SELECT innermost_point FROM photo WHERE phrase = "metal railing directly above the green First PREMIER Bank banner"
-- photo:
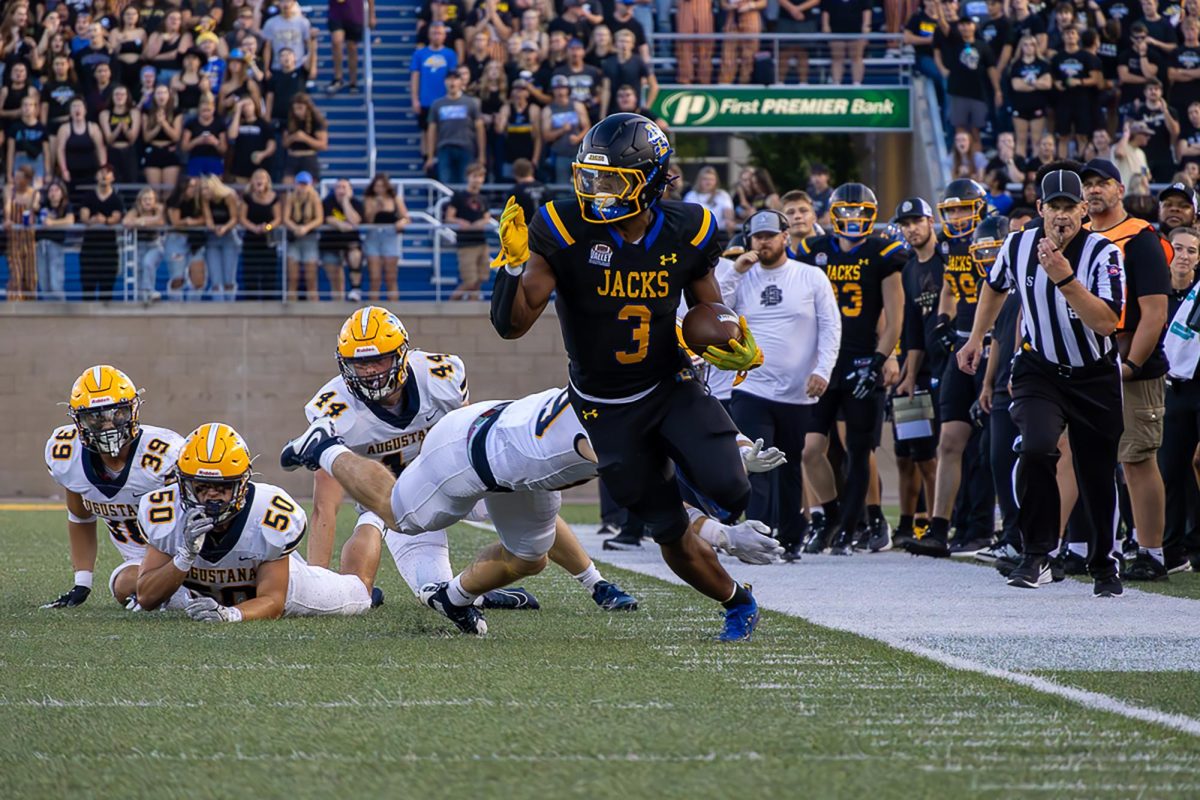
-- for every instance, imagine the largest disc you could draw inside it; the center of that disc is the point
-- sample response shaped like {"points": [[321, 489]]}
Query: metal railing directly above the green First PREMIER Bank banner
{"points": [[886, 62]]}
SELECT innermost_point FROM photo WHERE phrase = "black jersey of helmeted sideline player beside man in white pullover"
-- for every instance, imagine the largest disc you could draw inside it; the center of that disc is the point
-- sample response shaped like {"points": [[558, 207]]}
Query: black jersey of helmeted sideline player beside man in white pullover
{"points": [[857, 276]]}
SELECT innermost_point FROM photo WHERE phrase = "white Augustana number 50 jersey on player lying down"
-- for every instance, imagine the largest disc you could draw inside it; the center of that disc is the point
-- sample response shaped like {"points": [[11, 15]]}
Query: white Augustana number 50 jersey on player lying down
{"points": [[269, 527]]}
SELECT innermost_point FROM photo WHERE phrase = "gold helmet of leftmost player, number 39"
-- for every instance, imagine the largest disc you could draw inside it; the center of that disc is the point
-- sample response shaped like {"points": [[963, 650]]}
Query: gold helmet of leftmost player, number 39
{"points": [[105, 407]]}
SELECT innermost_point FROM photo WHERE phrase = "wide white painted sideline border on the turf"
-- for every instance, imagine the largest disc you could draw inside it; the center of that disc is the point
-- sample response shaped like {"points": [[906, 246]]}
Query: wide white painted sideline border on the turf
{"points": [[967, 618]]}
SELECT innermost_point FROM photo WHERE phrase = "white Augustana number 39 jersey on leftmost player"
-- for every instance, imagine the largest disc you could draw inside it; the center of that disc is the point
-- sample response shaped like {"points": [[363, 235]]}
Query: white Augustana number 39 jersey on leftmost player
{"points": [[115, 500]]}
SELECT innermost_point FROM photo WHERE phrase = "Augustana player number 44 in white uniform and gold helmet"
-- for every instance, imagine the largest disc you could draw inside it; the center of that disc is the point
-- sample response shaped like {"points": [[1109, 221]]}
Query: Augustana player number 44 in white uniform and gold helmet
{"points": [[385, 402]]}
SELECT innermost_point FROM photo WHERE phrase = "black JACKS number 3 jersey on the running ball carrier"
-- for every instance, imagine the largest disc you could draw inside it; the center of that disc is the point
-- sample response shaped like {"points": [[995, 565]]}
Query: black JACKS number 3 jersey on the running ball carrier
{"points": [[617, 300]]}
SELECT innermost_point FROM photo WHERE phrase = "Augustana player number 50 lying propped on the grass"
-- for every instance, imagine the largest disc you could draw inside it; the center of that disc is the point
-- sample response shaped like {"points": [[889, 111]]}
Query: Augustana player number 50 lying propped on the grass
{"points": [[232, 542]]}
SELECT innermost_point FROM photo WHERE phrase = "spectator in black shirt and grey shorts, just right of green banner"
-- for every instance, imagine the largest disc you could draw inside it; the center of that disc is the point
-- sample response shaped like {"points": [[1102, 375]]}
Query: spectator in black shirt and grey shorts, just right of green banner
{"points": [[971, 77]]}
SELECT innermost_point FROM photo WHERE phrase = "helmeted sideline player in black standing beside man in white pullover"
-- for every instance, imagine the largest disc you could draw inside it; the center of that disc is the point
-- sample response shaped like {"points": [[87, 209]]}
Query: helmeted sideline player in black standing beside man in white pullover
{"points": [[865, 272]]}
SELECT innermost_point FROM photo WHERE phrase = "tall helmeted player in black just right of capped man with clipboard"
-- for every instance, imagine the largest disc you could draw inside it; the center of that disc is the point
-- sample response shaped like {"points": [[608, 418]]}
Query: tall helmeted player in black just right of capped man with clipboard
{"points": [[963, 207]]}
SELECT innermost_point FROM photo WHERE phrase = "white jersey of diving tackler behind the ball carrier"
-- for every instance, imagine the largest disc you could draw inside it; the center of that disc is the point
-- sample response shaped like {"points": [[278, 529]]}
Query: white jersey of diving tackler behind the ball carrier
{"points": [[535, 444]]}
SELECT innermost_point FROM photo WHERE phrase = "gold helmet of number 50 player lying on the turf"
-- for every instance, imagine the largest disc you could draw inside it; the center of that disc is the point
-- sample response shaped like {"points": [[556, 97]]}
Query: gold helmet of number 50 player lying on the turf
{"points": [[214, 472]]}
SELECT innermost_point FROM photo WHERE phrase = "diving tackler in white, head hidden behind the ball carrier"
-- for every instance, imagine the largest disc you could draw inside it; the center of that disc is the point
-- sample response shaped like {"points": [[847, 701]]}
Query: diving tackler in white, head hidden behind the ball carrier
{"points": [[514, 456]]}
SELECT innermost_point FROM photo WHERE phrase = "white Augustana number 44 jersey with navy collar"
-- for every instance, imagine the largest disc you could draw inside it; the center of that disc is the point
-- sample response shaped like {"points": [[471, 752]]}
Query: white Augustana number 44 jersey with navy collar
{"points": [[436, 386]]}
